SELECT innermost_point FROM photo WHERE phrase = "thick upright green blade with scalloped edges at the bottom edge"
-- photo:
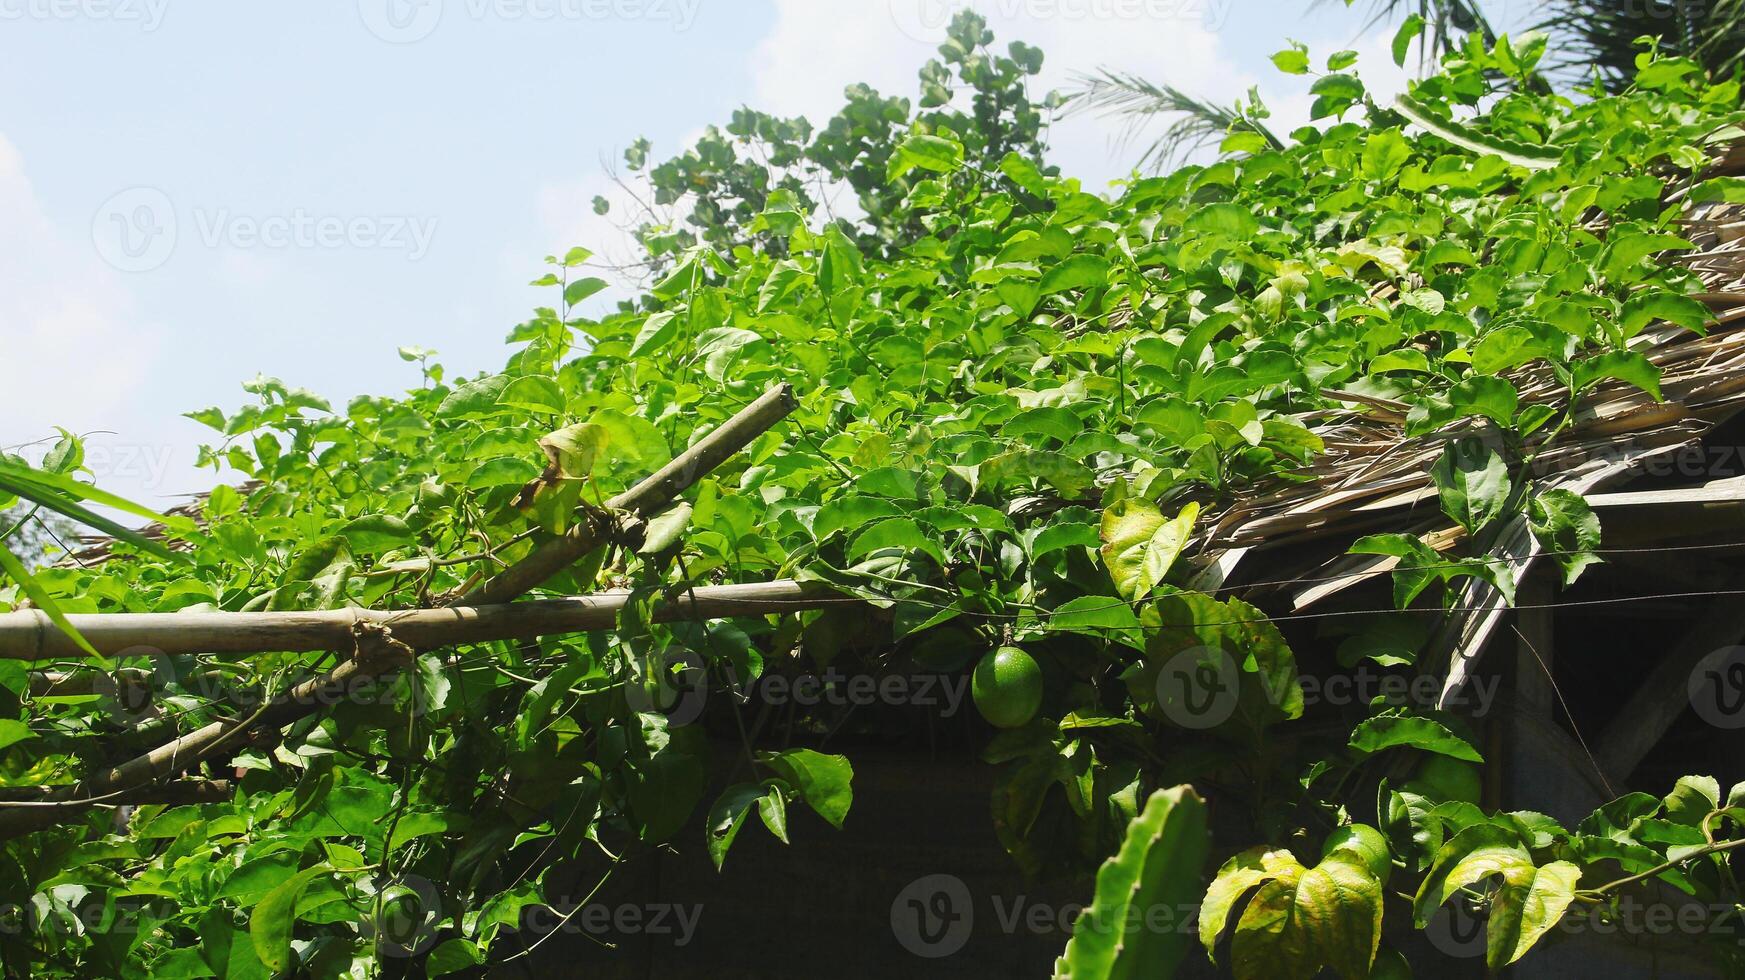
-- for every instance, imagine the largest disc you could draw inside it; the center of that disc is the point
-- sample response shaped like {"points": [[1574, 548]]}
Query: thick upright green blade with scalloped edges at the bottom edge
{"points": [[1158, 868]]}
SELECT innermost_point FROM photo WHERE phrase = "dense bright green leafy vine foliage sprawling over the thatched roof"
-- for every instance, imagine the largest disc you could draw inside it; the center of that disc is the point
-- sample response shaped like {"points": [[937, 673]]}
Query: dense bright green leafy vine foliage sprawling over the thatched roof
{"points": [[1022, 404]]}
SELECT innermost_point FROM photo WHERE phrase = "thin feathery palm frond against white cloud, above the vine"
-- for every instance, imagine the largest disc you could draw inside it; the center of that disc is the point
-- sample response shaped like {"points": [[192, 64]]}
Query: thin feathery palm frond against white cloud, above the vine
{"points": [[1194, 123]]}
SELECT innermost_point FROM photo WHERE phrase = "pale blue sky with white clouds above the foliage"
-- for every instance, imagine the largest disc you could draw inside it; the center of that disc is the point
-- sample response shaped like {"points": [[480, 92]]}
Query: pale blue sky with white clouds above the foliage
{"points": [[195, 193]]}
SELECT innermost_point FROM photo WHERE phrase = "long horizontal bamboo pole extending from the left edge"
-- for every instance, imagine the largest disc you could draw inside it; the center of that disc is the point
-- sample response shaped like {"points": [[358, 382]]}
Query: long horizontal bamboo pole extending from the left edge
{"points": [[31, 637]]}
